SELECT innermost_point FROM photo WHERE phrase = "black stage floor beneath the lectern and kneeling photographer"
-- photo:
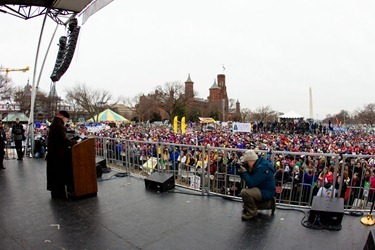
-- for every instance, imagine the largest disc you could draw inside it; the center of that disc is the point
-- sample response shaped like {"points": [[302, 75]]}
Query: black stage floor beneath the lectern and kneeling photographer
{"points": [[124, 215]]}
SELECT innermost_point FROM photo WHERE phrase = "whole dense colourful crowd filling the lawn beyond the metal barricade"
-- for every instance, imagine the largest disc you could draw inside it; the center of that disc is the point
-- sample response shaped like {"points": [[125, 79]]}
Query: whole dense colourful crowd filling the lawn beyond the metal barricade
{"points": [[304, 172]]}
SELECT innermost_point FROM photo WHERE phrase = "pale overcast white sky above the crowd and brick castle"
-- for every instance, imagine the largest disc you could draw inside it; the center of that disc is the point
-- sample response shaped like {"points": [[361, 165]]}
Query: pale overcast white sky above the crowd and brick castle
{"points": [[272, 50]]}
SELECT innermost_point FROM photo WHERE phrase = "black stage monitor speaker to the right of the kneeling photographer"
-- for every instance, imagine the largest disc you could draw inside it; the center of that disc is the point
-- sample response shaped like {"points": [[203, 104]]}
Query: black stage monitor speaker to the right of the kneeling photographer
{"points": [[326, 211]]}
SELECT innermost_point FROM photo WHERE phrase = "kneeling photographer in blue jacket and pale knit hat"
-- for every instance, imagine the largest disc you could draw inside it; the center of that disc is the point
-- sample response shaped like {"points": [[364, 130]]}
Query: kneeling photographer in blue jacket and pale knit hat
{"points": [[258, 174]]}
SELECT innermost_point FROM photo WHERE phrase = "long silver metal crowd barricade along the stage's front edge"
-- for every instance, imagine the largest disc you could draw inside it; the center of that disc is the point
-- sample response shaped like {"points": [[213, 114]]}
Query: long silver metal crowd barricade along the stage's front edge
{"points": [[214, 171]]}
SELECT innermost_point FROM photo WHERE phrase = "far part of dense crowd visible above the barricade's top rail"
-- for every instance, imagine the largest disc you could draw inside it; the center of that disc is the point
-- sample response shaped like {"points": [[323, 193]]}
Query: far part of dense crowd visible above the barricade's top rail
{"points": [[320, 139]]}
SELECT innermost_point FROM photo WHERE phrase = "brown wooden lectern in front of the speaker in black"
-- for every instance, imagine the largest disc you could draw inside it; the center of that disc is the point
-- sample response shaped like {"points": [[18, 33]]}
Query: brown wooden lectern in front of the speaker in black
{"points": [[84, 169]]}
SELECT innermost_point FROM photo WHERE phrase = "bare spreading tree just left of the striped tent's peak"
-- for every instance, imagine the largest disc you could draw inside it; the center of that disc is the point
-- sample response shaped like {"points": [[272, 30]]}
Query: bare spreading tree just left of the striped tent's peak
{"points": [[89, 100]]}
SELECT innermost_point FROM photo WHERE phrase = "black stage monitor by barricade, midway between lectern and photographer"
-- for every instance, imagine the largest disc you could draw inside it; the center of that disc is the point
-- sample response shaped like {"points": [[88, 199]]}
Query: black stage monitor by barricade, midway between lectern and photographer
{"points": [[160, 182]]}
